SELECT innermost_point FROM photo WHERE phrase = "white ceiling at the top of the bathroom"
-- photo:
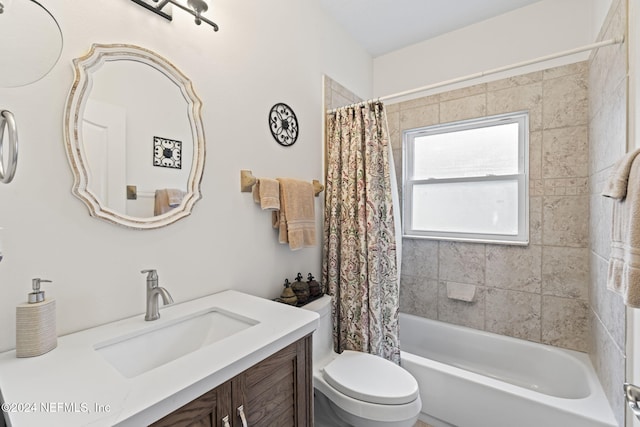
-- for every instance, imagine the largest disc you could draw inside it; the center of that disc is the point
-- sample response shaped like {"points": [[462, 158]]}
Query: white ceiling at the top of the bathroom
{"points": [[382, 26]]}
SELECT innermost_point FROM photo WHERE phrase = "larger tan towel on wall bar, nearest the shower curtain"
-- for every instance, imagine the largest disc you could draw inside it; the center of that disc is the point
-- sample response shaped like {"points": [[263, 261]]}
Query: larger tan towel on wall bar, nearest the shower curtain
{"points": [[296, 218]]}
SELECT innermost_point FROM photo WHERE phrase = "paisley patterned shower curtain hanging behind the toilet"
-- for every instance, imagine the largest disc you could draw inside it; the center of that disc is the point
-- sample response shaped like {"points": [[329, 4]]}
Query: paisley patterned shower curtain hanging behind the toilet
{"points": [[360, 263]]}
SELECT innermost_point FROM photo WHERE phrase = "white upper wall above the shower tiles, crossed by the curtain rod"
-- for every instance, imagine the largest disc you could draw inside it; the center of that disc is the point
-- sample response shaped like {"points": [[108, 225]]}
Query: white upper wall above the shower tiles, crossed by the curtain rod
{"points": [[542, 28]]}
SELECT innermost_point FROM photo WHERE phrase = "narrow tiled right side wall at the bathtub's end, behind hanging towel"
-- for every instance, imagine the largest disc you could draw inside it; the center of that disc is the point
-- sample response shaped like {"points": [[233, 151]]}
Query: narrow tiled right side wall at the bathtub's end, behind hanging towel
{"points": [[607, 143]]}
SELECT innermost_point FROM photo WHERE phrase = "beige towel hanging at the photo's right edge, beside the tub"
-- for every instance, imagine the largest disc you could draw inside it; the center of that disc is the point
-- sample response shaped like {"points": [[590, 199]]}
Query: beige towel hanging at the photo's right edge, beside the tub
{"points": [[623, 275]]}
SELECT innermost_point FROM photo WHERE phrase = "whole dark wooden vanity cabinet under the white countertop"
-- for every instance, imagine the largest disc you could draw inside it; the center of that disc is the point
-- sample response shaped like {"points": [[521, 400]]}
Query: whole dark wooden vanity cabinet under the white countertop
{"points": [[277, 391]]}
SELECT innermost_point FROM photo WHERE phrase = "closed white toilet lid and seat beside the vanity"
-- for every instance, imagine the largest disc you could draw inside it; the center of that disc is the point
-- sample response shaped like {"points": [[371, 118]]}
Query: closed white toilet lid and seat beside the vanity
{"points": [[371, 379]]}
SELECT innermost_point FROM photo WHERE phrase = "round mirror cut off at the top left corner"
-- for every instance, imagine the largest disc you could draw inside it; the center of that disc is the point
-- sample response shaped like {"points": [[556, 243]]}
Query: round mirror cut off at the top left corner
{"points": [[31, 42]]}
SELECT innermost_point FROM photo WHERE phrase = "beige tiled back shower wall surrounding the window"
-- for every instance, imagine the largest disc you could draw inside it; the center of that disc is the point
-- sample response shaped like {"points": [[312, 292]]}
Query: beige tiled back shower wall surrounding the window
{"points": [[538, 292]]}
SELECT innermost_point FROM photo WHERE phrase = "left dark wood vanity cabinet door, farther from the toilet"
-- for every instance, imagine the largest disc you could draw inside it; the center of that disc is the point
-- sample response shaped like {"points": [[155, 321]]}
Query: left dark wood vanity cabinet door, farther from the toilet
{"points": [[207, 410]]}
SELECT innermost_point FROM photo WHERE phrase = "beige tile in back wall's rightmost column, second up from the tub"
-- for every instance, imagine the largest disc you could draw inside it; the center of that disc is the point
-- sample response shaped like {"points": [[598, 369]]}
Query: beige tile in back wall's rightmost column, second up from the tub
{"points": [[565, 272]]}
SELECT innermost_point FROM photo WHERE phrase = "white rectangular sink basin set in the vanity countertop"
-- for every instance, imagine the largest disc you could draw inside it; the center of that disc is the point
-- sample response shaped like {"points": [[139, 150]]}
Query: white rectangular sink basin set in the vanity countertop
{"points": [[139, 352]]}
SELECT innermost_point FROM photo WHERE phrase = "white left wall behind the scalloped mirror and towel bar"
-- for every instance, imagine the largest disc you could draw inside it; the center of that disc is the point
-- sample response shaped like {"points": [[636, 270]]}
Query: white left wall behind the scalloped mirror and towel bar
{"points": [[264, 53]]}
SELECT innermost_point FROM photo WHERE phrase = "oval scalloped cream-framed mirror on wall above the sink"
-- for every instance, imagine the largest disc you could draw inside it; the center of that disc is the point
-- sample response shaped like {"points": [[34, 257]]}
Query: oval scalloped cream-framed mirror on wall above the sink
{"points": [[134, 137]]}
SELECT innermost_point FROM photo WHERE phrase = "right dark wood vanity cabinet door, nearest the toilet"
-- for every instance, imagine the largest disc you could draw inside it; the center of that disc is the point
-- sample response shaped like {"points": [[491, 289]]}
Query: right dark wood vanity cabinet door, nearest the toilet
{"points": [[277, 391]]}
